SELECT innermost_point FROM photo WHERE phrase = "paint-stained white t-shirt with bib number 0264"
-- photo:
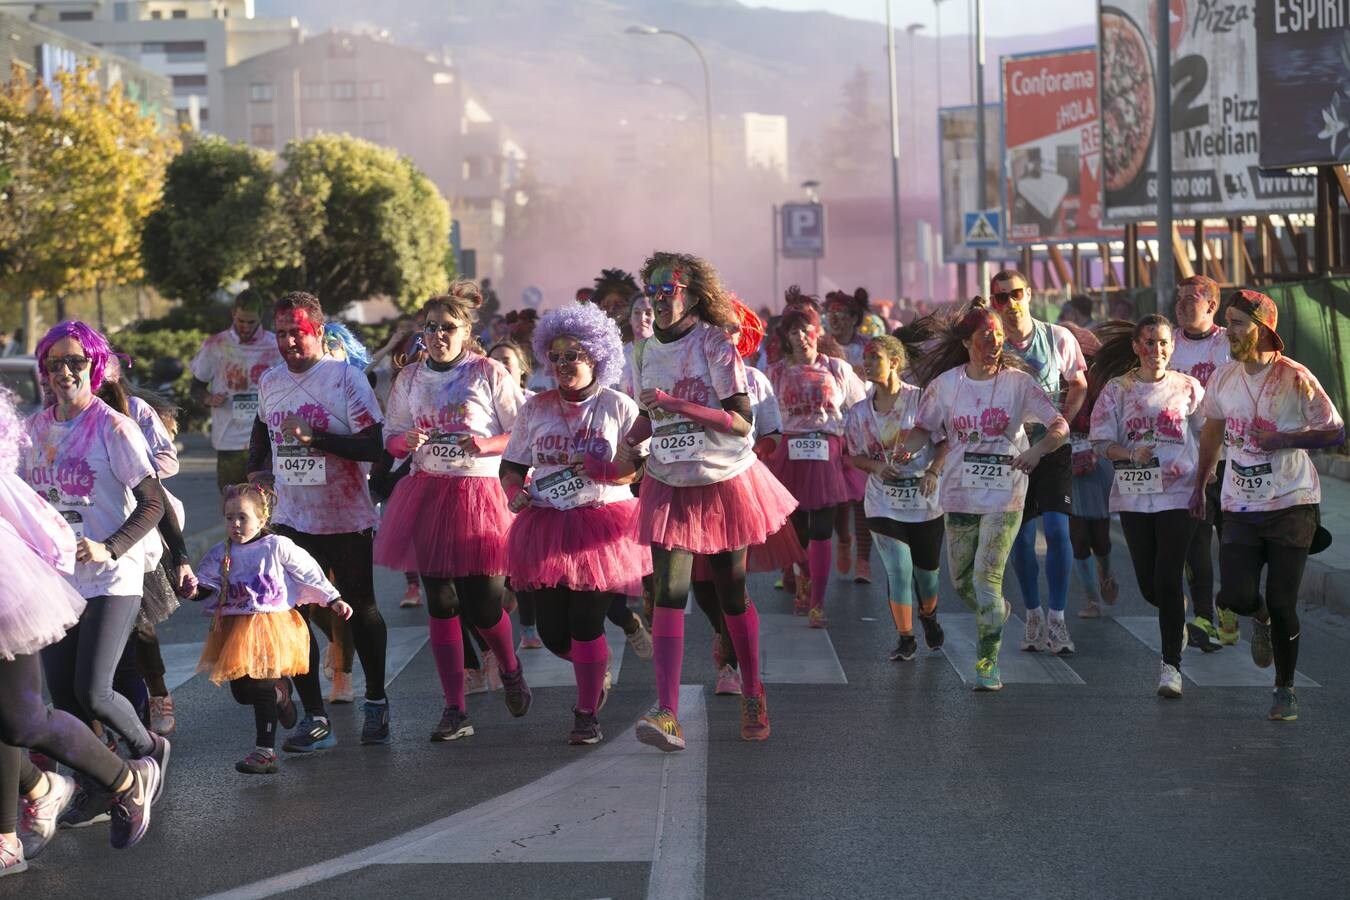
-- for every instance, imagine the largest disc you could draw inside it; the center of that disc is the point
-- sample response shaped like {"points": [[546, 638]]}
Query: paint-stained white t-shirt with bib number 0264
{"points": [[477, 397]]}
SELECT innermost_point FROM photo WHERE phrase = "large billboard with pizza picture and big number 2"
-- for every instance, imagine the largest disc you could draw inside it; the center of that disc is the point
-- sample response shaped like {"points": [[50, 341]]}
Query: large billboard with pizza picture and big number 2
{"points": [[1216, 114]]}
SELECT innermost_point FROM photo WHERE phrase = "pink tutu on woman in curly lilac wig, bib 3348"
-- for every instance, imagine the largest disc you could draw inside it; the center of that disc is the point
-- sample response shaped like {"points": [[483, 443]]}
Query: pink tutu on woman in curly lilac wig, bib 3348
{"points": [[588, 549]]}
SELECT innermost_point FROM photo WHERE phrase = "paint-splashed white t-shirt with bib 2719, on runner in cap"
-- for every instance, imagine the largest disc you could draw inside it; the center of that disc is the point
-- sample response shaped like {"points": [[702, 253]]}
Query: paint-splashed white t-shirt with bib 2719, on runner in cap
{"points": [[1283, 397]]}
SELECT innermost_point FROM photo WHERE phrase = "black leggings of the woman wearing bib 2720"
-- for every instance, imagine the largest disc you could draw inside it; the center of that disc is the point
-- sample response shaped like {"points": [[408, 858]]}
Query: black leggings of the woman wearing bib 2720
{"points": [[1158, 546]]}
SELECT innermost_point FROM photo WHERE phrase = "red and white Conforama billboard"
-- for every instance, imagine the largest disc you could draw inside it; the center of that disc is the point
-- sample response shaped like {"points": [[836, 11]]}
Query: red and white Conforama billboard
{"points": [[1052, 141]]}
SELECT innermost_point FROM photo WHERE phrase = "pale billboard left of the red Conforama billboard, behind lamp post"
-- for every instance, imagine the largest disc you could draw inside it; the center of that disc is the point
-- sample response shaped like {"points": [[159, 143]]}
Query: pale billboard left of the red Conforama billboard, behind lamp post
{"points": [[956, 130]]}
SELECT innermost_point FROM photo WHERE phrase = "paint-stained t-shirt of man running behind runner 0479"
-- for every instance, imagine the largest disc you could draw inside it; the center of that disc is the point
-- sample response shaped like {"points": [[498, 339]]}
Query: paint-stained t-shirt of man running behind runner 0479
{"points": [[233, 368]]}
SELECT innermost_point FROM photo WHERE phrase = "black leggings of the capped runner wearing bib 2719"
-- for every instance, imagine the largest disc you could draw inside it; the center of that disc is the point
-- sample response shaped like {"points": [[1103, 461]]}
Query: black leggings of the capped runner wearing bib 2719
{"points": [[1240, 570]]}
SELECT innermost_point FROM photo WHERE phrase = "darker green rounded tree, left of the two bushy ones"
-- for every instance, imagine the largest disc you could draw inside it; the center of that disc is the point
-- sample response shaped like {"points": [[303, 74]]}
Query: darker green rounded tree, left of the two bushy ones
{"points": [[222, 221]]}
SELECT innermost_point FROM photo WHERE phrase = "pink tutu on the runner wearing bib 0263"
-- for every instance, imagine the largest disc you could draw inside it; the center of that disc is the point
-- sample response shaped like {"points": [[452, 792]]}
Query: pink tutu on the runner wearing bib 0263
{"points": [[709, 519]]}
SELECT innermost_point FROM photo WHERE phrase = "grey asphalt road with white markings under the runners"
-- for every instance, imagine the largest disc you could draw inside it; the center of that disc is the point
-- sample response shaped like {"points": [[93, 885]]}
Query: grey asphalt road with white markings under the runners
{"points": [[881, 779]]}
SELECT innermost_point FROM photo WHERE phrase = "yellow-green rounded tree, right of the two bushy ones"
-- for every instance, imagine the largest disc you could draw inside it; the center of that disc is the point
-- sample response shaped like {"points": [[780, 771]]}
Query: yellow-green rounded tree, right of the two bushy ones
{"points": [[369, 223]]}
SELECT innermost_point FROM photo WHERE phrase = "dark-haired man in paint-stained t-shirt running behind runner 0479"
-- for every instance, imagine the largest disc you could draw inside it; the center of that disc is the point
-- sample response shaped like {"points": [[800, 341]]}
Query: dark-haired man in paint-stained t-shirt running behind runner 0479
{"points": [[225, 378]]}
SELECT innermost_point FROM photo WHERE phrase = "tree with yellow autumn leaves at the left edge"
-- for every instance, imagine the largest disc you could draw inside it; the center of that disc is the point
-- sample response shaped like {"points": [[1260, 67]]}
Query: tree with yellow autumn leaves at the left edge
{"points": [[80, 176]]}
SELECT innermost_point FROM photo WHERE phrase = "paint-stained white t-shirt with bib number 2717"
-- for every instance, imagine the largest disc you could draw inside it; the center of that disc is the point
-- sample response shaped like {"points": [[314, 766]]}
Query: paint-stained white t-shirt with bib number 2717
{"points": [[881, 437]]}
